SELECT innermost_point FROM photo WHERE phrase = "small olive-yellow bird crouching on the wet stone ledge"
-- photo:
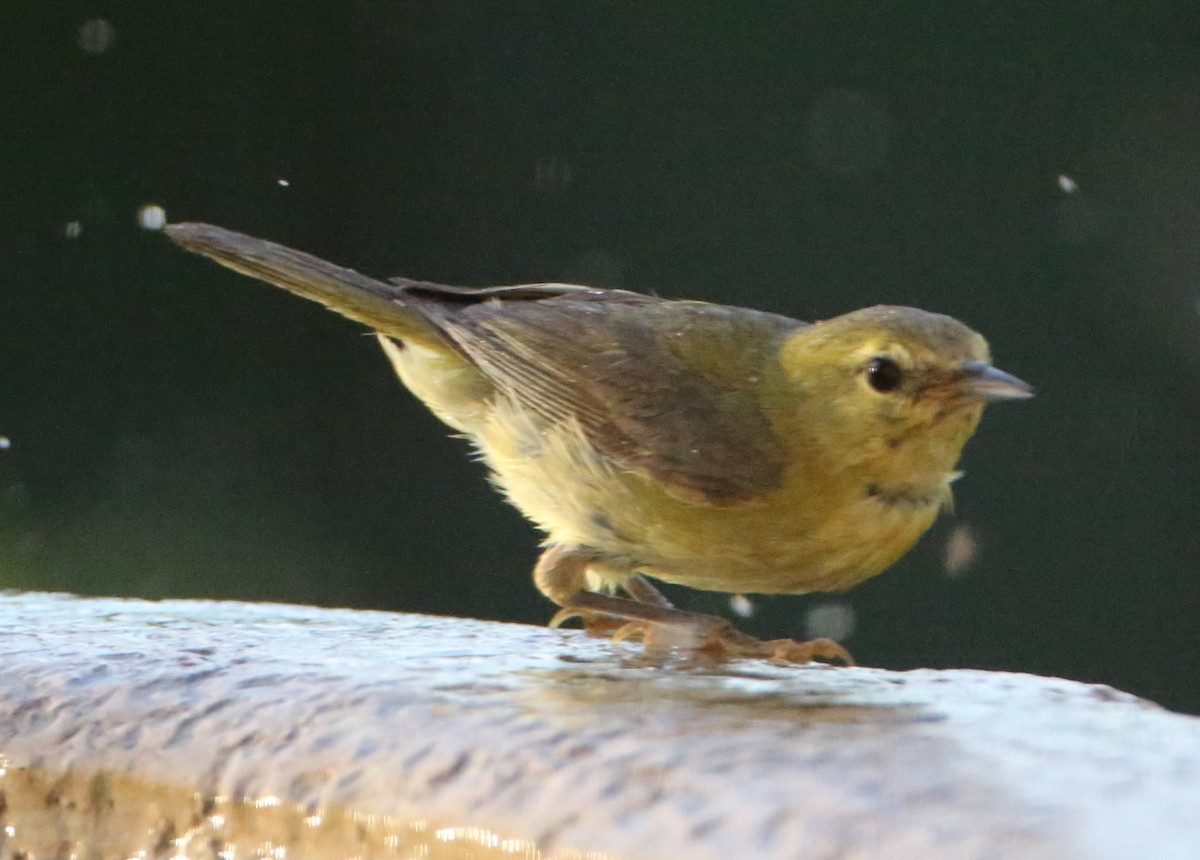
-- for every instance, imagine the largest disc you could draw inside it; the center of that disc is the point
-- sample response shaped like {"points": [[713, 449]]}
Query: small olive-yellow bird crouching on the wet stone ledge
{"points": [[717, 448]]}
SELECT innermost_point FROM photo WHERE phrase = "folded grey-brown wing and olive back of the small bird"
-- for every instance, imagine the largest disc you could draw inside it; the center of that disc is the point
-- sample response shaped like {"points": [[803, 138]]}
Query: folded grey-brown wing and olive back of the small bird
{"points": [[638, 381]]}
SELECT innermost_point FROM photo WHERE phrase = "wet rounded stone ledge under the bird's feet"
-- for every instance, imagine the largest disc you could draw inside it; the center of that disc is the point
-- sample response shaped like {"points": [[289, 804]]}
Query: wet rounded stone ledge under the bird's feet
{"points": [[187, 729]]}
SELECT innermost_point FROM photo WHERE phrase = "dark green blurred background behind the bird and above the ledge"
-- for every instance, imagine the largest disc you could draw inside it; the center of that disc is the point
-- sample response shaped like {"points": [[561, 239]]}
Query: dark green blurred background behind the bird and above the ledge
{"points": [[169, 429]]}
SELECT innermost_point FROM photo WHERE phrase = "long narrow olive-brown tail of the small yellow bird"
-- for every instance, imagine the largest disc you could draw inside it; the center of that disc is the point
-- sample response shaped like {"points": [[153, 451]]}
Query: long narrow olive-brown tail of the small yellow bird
{"points": [[359, 298]]}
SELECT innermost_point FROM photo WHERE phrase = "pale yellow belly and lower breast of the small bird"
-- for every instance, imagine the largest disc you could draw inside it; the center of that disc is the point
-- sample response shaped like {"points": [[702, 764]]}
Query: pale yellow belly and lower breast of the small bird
{"points": [[811, 536]]}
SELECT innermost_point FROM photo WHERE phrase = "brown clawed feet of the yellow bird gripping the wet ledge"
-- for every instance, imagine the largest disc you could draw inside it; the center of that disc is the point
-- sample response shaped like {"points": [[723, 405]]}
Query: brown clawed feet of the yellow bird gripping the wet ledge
{"points": [[664, 632]]}
